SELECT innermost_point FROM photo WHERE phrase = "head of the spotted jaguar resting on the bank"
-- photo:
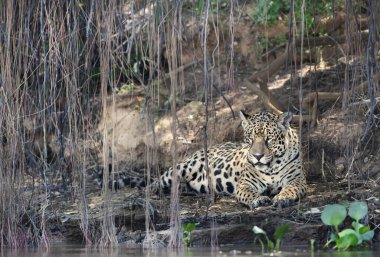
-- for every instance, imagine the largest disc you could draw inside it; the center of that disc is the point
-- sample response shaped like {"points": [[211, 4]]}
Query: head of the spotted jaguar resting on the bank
{"points": [[266, 135]]}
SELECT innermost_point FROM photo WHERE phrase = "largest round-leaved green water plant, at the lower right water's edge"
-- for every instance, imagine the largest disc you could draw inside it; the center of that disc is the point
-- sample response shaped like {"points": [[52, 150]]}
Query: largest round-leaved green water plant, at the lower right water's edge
{"points": [[335, 214]]}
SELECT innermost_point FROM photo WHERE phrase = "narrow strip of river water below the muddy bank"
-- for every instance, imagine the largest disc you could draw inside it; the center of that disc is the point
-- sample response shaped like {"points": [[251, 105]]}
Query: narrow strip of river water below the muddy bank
{"points": [[64, 250]]}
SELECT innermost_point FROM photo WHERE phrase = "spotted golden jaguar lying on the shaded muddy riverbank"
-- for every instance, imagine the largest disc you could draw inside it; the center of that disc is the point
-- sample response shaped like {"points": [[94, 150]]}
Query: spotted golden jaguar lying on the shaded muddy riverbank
{"points": [[266, 168]]}
